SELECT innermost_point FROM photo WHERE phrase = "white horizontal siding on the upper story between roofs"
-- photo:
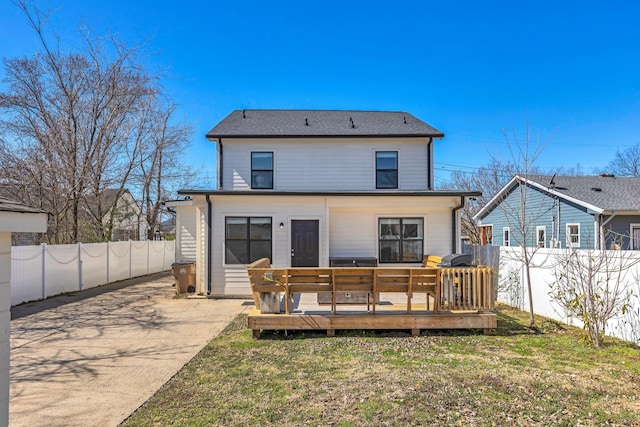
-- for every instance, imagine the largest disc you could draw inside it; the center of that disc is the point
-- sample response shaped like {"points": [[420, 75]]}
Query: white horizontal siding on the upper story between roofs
{"points": [[327, 164]]}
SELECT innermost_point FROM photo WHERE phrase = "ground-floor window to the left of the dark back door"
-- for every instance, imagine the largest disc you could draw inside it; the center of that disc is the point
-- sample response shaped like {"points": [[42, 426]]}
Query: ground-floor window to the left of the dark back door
{"points": [[247, 239]]}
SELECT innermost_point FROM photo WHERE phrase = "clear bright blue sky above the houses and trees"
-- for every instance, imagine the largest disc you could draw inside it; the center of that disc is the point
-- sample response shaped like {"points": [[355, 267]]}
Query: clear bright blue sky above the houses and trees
{"points": [[471, 69]]}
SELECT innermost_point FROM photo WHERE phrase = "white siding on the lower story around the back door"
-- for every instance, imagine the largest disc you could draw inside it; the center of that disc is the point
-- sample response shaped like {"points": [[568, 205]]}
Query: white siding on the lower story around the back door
{"points": [[352, 229]]}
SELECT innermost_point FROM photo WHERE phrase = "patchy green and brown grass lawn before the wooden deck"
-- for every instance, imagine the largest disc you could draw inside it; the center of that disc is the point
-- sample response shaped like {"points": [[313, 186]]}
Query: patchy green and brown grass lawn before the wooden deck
{"points": [[450, 378]]}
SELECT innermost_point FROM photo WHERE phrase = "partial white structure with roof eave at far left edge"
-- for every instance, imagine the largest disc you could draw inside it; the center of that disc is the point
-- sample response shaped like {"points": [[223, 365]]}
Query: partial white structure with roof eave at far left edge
{"points": [[14, 217]]}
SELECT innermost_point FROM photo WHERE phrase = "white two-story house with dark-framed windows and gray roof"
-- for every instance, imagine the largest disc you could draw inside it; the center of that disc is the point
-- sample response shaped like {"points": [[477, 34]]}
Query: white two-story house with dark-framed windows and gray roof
{"points": [[304, 186]]}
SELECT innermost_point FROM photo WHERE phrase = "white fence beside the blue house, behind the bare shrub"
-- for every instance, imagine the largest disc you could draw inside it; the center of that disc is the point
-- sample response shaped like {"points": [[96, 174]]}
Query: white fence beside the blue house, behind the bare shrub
{"points": [[512, 288]]}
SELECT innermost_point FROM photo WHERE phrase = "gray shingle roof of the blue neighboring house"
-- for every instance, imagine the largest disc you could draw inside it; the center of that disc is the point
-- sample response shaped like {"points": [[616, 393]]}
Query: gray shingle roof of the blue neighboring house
{"points": [[608, 193]]}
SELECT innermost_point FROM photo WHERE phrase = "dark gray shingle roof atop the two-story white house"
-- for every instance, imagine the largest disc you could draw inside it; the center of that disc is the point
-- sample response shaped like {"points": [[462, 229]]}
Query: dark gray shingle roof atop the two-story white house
{"points": [[318, 123]]}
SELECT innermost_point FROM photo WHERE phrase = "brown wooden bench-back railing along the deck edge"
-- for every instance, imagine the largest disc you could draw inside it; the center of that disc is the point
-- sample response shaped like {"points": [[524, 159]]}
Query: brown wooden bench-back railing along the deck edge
{"points": [[447, 288]]}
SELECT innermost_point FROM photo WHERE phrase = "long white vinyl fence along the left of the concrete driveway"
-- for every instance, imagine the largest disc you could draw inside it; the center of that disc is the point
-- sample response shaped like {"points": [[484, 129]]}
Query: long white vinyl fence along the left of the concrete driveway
{"points": [[38, 272]]}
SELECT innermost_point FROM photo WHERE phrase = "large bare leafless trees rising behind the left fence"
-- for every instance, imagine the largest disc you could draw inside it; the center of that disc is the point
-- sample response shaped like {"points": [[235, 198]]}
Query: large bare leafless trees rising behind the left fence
{"points": [[76, 124]]}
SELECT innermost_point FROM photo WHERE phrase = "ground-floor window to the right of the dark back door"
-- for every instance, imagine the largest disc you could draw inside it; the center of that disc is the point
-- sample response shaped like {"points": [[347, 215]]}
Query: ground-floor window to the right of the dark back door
{"points": [[401, 239]]}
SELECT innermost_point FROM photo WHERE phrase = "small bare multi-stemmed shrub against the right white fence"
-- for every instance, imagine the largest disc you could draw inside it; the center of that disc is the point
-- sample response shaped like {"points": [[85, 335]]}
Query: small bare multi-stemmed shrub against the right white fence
{"points": [[591, 285]]}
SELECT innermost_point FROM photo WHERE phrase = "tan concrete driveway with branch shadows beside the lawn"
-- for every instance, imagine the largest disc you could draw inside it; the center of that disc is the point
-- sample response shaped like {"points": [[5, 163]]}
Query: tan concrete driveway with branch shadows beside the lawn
{"points": [[94, 357]]}
